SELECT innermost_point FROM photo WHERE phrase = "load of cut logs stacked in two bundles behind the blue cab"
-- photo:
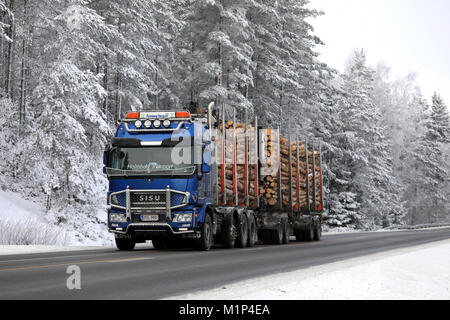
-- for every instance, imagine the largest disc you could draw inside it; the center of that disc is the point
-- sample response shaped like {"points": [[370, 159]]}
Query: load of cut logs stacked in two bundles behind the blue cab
{"points": [[276, 169]]}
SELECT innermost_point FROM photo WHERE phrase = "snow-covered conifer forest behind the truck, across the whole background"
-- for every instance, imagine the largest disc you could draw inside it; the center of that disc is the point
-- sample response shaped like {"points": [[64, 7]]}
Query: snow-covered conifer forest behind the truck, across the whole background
{"points": [[69, 69]]}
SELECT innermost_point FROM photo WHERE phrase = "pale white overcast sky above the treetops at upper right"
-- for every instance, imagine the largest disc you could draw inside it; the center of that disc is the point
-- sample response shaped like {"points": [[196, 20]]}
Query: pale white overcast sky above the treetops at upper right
{"points": [[408, 35]]}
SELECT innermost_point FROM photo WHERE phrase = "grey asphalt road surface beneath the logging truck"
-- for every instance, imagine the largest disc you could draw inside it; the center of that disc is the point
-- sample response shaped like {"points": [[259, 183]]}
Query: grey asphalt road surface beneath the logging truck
{"points": [[147, 273]]}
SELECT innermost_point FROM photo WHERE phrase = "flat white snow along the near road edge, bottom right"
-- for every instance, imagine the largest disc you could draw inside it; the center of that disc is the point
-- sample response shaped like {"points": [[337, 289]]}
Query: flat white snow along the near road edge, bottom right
{"points": [[417, 273]]}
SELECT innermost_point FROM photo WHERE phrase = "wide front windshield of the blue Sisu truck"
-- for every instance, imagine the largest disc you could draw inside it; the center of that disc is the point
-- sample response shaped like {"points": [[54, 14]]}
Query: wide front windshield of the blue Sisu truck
{"points": [[151, 160]]}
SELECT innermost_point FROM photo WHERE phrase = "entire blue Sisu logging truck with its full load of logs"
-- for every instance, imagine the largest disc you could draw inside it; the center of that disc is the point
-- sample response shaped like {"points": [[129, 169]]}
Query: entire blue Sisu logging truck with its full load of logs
{"points": [[200, 179]]}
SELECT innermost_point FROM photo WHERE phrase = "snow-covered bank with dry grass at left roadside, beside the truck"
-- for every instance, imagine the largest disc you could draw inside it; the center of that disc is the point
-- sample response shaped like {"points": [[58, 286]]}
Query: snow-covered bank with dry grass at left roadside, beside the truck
{"points": [[22, 222]]}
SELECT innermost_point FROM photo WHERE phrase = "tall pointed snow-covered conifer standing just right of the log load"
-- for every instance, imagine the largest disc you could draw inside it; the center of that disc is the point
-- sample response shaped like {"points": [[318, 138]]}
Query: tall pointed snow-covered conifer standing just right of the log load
{"points": [[368, 168]]}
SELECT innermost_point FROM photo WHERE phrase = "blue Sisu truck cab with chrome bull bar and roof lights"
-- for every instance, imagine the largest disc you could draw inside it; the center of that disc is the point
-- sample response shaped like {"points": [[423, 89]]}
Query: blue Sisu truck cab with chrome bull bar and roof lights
{"points": [[159, 173]]}
